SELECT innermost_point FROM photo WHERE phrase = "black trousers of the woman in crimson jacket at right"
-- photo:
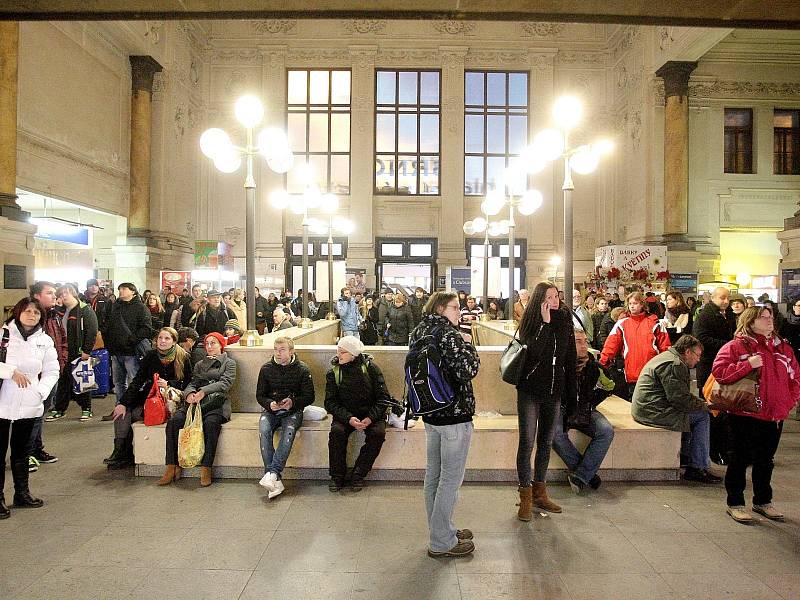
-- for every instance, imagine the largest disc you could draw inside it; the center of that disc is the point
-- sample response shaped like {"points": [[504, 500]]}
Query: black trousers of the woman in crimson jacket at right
{"points": [[751, 440]]}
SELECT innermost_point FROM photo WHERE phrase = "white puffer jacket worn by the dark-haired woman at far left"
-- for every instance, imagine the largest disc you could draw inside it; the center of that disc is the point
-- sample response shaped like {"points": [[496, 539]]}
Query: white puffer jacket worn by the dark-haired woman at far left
{"points": [[36, 357]]}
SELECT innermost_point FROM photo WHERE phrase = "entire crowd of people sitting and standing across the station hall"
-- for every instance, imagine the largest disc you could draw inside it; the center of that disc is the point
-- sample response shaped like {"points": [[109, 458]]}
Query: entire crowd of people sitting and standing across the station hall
{"points": [[640, 347]]}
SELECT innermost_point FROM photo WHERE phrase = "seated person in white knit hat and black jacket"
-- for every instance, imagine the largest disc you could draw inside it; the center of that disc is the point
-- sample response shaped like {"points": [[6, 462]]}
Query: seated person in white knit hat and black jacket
{"points": [[356, 396]]}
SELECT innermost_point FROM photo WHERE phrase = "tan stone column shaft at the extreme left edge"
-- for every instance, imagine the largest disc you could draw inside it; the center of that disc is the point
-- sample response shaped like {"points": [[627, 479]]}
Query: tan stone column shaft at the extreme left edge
{"points": [[9, 53]]}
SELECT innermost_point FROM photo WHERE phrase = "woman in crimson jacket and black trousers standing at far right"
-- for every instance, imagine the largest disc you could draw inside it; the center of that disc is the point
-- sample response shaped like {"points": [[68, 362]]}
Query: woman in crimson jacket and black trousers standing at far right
{"points": [[754, 437]]}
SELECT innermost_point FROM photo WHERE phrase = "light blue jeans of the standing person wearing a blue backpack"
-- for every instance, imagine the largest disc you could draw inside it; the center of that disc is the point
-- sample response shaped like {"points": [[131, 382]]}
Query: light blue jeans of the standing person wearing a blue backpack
{"points": [[448, 446]]}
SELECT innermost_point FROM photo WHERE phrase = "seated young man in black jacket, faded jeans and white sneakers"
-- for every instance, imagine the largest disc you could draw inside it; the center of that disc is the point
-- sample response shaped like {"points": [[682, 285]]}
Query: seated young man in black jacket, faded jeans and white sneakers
{"points": [[284, 389]]}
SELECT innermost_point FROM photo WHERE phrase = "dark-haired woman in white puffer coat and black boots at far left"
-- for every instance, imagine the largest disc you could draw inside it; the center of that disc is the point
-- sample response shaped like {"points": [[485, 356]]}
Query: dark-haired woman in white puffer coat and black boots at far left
{"points": [[28, 371]]}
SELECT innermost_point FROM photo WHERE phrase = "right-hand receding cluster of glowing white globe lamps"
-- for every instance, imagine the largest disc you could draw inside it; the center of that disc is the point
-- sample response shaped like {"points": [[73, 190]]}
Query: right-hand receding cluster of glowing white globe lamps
{"points": [[548, 145]]}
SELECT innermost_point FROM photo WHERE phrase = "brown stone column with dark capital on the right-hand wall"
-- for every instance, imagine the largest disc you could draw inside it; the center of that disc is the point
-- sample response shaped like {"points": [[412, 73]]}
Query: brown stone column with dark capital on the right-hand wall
{"points": [[676, 149]]}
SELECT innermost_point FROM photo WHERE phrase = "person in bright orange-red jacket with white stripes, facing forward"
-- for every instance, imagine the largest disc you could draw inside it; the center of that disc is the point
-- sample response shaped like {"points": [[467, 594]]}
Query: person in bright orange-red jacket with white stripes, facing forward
{"points": [[638, 336]]}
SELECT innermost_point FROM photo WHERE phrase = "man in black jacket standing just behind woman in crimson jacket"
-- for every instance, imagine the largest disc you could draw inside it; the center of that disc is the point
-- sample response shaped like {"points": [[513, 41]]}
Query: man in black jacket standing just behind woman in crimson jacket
{"points": [[714, 327]]}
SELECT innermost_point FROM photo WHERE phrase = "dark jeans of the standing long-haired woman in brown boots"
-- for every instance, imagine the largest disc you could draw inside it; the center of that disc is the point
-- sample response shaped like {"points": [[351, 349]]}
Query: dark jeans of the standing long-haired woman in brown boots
{"points": [[534, 414]]}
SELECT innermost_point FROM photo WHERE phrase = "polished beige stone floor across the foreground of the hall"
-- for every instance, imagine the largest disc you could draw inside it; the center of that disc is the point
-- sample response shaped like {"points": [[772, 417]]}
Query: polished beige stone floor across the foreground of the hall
{"points": [[110, 535]]}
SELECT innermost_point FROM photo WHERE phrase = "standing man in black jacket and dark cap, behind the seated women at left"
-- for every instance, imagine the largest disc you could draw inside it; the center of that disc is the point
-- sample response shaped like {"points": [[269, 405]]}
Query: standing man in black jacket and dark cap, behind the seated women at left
{"points": [[128, 331]]}
